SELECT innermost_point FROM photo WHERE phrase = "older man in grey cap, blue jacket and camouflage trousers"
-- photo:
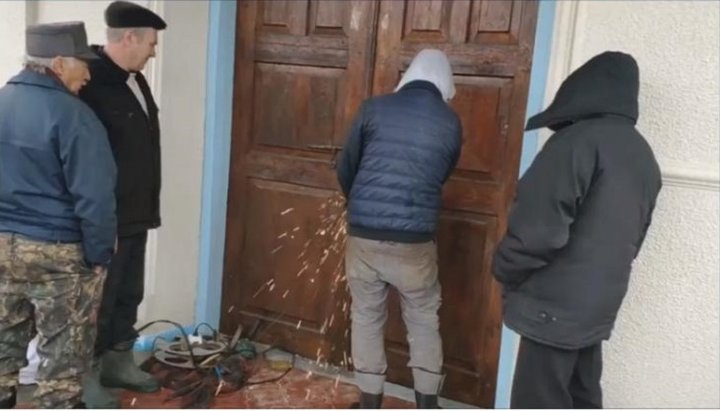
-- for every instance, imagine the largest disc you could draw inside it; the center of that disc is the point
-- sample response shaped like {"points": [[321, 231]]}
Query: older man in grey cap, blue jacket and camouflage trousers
{"points": [[57, 216]]}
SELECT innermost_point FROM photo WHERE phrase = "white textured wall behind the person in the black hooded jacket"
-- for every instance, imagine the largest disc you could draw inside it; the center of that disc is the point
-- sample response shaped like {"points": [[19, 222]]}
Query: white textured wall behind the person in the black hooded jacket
{"points": [[664, 351]]}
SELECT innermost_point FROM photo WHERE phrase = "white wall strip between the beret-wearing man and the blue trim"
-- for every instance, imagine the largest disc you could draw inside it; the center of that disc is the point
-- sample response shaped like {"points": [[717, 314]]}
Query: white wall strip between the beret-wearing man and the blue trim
{"points": [[180, 90]]}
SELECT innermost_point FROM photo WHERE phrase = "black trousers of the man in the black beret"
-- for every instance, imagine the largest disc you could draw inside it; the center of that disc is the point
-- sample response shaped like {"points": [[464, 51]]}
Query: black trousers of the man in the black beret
{"points": [[123, 293]]}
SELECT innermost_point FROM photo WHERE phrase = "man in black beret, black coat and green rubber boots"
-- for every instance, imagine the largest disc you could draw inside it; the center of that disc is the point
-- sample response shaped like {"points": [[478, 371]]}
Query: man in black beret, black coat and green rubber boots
{"points": [[121, 98]]}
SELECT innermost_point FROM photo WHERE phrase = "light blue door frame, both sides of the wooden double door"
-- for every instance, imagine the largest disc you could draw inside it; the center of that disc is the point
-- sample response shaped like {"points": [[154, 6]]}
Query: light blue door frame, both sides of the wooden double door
{"points": [[216, 164]]}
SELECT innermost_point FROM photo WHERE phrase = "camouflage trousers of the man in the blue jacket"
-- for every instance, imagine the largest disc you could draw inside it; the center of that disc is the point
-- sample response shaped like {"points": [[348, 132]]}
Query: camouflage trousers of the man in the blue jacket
{"points": [[46, 288]]}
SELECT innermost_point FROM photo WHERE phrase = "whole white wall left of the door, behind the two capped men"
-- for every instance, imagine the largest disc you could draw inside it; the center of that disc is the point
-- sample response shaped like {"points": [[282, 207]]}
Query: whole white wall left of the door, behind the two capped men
{"points": [[177, 77]]}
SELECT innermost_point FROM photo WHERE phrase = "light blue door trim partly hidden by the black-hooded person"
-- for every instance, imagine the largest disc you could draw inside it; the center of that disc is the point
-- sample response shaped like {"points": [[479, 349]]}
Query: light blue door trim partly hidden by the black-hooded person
{"points": [[538, 78]]}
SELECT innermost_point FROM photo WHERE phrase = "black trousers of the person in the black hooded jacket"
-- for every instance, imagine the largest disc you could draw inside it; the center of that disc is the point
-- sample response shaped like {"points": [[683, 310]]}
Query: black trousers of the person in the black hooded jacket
{"points": [[548, 377]]}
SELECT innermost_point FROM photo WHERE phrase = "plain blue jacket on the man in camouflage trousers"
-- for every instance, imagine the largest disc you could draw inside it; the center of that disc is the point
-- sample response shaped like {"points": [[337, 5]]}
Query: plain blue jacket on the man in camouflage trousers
{"points": [[57, 173]]}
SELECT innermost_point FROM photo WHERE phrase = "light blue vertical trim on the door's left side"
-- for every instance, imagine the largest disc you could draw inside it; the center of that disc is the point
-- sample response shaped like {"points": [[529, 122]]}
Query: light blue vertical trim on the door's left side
{"points": [[216, 162]]}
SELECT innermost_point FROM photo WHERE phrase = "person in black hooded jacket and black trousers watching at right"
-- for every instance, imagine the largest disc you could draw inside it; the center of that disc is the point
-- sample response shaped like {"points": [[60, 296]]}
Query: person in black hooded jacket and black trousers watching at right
{"points": [[579, 219]]}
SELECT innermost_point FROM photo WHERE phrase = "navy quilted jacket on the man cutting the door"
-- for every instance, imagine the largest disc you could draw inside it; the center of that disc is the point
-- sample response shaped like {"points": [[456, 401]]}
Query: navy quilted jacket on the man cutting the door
{"points": [[401, 149]]}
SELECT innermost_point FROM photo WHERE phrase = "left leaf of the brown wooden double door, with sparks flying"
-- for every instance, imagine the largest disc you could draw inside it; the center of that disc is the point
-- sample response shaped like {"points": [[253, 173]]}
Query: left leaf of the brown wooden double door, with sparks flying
{"points": [[302, 69]]}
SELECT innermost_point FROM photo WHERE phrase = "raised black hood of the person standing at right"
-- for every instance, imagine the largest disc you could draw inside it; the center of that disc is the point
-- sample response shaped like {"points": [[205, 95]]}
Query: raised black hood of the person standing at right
{"points": [[607, 84]]}
